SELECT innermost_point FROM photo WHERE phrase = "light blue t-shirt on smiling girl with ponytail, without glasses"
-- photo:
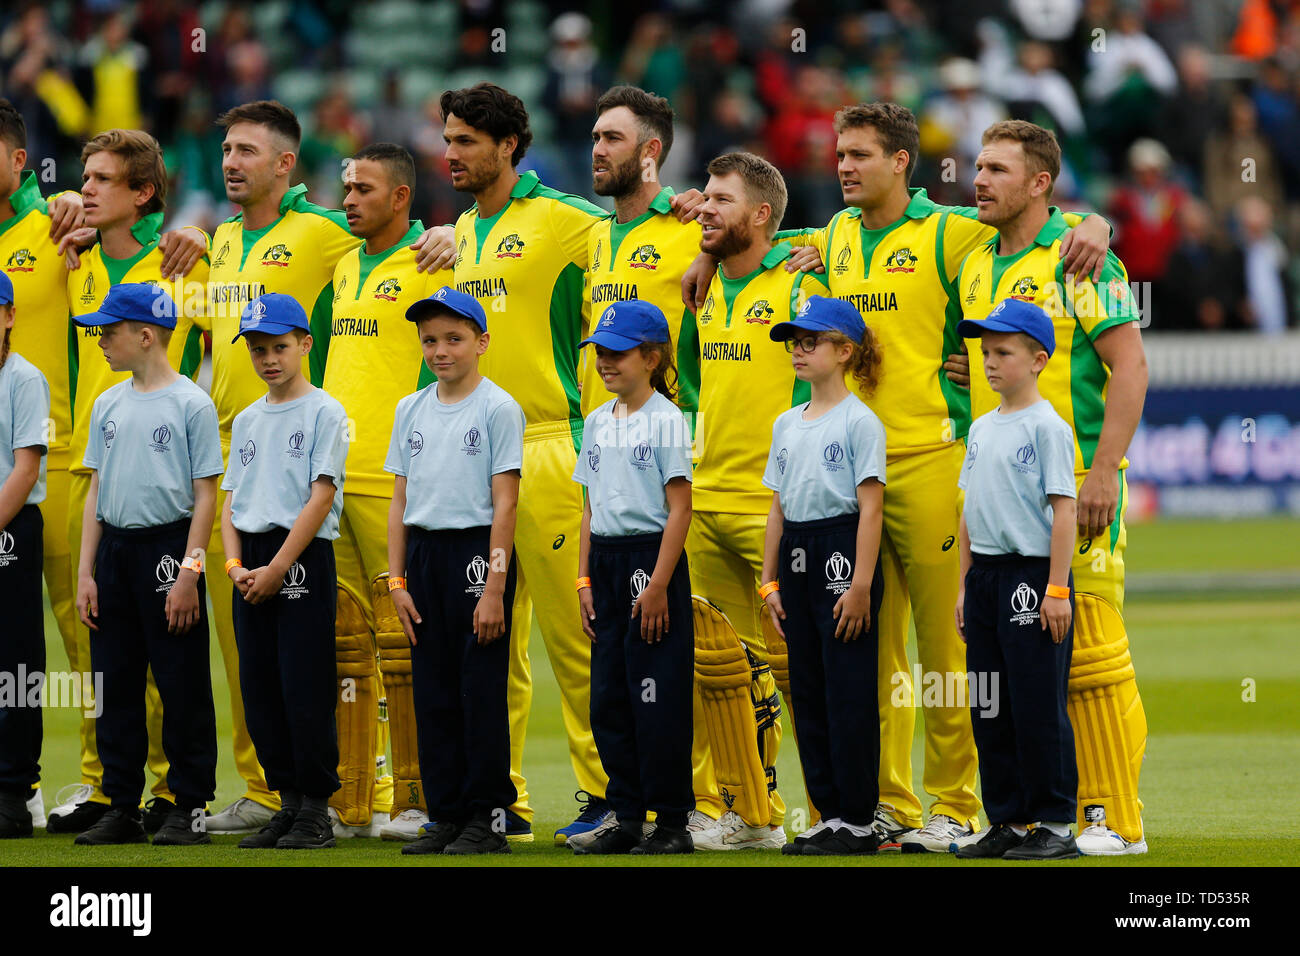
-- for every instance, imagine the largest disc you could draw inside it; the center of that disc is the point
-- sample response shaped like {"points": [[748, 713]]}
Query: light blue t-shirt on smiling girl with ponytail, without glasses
{"points": [[627, 462]]}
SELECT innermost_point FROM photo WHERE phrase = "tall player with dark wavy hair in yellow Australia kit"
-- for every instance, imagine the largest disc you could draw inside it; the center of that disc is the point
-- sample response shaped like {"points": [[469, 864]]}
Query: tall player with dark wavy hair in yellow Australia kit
{"points": [[522, 250]]}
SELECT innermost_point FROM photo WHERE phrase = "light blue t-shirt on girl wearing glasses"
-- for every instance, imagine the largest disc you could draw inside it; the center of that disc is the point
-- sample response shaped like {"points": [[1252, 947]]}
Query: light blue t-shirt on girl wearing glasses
{"points": [[817, 466]]}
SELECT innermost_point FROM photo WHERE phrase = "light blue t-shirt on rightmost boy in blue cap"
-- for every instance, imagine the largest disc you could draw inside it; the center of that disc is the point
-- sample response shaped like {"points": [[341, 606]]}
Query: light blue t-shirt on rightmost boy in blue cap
{"points": [[1013, 464]]}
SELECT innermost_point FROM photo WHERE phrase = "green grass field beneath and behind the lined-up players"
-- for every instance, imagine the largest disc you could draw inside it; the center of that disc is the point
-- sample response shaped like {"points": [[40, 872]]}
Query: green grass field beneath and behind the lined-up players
{"points": [[1219, 775]]}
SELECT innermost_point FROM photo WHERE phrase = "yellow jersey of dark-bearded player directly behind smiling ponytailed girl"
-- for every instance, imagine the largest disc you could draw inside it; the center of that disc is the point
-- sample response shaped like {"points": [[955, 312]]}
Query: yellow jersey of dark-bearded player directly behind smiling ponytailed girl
{"points": [[644, 259]]}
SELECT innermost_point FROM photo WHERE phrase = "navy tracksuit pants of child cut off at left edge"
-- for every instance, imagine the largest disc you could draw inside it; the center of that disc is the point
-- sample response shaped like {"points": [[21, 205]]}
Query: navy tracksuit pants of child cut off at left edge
{"points": [[23, 648]]}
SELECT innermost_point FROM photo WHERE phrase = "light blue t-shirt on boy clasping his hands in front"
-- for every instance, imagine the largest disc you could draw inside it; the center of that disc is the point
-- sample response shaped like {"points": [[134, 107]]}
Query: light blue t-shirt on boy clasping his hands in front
{"points": [[276, 453]]}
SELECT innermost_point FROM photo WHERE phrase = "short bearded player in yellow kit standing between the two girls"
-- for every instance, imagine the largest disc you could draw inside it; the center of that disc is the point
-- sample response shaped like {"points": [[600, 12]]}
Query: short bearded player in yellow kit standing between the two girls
{"points": [[746, 382]]}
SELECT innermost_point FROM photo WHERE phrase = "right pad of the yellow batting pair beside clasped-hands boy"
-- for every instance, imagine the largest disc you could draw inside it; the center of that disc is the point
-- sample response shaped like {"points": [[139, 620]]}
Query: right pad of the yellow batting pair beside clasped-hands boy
{"points": [[396, 668]]}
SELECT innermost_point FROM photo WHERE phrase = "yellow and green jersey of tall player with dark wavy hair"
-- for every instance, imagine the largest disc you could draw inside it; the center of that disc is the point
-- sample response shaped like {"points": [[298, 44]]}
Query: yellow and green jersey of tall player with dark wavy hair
{"points": [[527, 266]]}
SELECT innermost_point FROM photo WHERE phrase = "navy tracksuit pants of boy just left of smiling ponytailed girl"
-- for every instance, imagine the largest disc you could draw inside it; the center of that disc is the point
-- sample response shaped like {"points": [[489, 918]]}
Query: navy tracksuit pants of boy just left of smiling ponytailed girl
{"points": [[458, 685]]}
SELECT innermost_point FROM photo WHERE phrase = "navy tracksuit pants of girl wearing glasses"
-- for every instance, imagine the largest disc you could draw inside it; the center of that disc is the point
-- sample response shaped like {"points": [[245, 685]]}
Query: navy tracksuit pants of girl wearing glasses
{"points": [[833, 682]]}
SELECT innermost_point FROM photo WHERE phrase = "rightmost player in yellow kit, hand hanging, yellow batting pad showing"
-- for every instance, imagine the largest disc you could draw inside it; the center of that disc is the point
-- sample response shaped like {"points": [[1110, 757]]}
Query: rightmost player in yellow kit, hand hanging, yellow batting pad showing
{"points": [[1097, 380]]}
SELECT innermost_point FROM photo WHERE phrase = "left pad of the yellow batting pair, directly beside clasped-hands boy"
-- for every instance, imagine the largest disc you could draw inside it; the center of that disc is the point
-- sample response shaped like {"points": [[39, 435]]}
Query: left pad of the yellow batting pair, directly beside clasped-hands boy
{"points": [[357, 712]]}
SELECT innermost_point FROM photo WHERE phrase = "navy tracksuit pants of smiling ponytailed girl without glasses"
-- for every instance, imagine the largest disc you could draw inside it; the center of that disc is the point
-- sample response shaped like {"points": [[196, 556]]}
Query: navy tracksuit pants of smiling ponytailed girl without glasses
{"points": [[642, 694]]}
